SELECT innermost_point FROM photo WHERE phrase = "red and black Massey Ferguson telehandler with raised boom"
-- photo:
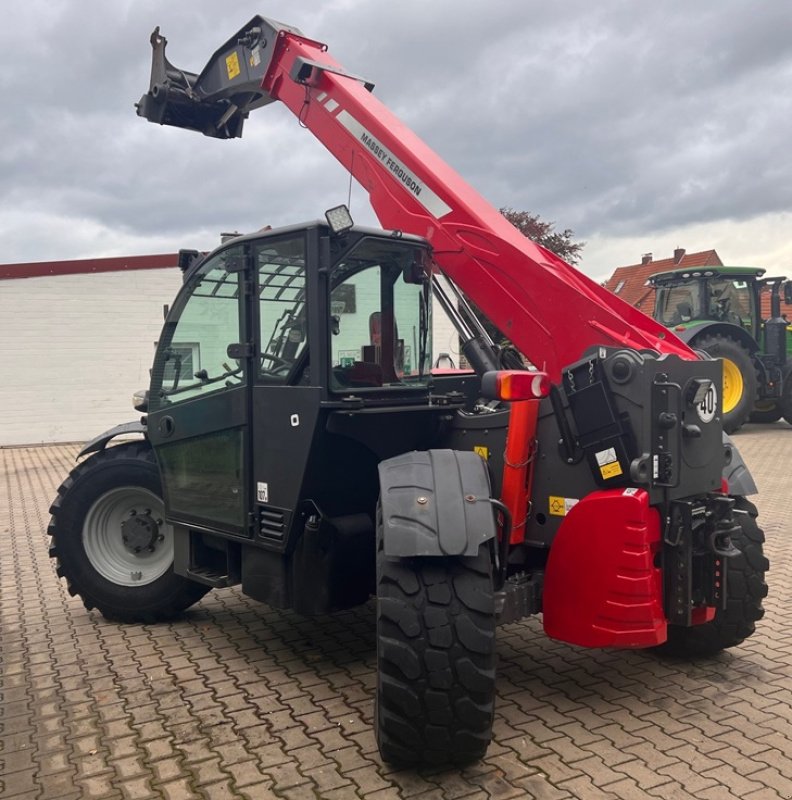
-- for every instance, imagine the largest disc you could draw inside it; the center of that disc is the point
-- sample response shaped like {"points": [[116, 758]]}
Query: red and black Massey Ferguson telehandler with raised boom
{"points": [[295, 442]]}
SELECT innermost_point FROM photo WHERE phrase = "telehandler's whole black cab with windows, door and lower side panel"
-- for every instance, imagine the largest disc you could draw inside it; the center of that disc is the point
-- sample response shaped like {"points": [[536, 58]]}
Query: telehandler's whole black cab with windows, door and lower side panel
{"points": [[290, 363]]}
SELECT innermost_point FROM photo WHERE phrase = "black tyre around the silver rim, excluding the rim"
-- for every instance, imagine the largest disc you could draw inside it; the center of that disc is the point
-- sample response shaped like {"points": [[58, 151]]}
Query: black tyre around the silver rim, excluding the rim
{"points": [[65, 531]]}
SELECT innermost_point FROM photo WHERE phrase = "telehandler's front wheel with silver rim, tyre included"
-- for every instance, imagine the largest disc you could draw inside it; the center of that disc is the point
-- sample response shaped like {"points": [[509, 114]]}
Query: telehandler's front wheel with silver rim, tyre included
{"points": [[111, 542]]}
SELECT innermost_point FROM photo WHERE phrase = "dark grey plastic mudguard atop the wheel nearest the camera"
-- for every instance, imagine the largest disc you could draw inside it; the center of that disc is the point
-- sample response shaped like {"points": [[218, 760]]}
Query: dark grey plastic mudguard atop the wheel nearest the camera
{"points": [[435, 503]]}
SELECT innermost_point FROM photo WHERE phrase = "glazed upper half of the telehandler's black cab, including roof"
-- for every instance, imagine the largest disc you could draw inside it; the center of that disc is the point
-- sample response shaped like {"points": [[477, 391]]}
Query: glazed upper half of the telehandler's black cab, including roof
{"points": [[349, 313]]}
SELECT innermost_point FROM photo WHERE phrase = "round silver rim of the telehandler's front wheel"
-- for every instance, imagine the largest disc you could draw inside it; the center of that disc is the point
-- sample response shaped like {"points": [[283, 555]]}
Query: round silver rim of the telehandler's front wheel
{"points": [[126, 538]]}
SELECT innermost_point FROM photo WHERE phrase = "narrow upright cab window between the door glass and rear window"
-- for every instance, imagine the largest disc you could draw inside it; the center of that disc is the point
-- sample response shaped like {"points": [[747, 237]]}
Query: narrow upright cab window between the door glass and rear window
{"points": [[282, 309]]}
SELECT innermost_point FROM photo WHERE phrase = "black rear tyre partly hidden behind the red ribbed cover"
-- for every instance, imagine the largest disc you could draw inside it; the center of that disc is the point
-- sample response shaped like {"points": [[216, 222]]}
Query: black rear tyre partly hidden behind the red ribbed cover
{"points": [[746, 588]]}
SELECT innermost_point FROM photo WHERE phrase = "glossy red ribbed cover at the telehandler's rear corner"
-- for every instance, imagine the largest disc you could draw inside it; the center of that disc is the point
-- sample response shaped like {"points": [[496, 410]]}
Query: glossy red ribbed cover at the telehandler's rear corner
{"points": [[602, 586]]}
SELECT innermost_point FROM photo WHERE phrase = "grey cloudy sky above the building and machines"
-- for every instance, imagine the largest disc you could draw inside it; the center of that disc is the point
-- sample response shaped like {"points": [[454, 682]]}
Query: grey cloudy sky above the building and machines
{"points": [[641, 126]]}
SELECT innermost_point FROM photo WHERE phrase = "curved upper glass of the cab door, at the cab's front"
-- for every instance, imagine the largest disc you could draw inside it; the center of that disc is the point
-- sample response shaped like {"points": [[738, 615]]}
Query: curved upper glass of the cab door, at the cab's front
{"points": [[192, 359]]}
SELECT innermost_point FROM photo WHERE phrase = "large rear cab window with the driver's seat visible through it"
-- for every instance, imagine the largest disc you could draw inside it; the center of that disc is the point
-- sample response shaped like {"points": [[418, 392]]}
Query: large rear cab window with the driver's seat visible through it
{"points": [[380, 317]]}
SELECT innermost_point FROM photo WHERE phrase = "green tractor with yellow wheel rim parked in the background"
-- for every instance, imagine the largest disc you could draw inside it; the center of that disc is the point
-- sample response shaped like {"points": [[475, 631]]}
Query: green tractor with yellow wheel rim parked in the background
{"points": [[718, 310]]}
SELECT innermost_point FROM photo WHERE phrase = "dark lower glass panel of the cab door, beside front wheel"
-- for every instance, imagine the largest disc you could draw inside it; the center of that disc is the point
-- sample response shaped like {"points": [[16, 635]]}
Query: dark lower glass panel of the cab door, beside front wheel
{"points": [[203, 477]]}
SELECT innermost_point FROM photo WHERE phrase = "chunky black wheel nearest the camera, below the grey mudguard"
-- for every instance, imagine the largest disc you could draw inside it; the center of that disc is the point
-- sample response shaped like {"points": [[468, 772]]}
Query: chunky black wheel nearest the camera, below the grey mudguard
{"points": [[435, 658]]}
